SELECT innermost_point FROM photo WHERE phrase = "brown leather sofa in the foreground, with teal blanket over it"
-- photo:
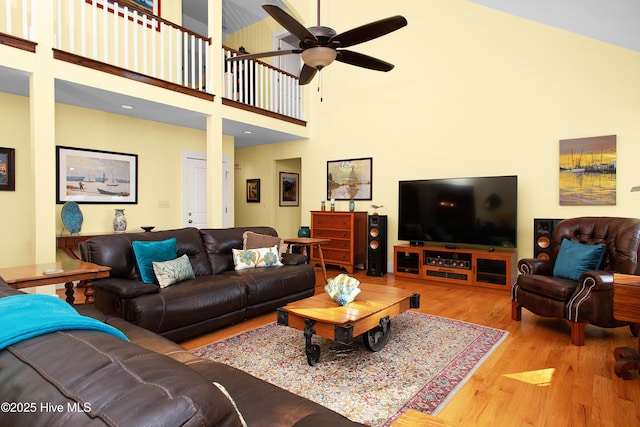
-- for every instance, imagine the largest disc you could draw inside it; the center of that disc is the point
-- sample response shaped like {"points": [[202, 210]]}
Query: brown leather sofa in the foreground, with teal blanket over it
{"points": [[91, 378]]}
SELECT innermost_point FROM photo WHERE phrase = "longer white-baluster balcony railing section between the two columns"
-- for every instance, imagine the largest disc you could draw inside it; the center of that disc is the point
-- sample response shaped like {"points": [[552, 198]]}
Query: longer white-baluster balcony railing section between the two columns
{"points": [[129, 38]]}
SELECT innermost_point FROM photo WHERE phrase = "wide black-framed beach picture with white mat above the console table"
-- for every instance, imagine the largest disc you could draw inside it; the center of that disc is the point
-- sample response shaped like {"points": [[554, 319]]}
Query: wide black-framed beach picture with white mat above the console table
{"points": [[94, 176]]}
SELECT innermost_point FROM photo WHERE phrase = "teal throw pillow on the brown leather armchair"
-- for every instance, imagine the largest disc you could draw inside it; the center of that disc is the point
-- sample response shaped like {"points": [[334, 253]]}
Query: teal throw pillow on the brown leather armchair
{"points": [[576, 258]]}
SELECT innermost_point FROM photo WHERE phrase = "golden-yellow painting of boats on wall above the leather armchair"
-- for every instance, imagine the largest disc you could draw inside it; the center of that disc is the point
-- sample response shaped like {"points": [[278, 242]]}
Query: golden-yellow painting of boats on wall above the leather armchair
{"points": [[588, 171]]}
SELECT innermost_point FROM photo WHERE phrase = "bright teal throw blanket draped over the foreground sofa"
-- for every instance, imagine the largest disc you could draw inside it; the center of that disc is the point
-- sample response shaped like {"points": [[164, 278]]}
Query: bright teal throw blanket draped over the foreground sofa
{"points": [[26, 316]]}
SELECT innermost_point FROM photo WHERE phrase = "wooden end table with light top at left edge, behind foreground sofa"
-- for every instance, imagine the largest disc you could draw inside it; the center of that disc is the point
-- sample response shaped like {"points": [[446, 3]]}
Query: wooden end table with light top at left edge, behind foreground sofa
{"points": [[28, 276]]}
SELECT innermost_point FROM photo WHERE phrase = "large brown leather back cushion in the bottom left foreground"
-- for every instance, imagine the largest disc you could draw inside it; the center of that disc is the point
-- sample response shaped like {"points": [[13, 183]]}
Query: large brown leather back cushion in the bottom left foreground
{"points": [[110, 381]]}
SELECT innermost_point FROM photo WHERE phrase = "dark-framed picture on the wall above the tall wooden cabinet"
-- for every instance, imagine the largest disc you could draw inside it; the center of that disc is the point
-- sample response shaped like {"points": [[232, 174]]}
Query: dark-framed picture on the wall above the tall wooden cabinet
{"points": [[349, 179]]}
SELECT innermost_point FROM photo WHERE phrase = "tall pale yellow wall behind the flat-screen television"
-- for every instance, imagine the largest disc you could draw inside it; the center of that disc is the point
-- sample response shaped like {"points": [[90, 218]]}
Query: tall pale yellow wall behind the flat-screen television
{"points": [[475, 92]]}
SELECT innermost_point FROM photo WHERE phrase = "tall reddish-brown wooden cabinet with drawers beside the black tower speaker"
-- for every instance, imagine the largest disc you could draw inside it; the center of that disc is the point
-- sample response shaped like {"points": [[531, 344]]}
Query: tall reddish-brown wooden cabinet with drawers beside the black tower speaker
{"points": [[348, 234]]}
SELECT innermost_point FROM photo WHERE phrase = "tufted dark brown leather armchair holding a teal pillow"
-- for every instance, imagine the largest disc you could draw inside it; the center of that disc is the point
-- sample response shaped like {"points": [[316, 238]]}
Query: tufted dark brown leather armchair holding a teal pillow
{"points": [[589, 300]]}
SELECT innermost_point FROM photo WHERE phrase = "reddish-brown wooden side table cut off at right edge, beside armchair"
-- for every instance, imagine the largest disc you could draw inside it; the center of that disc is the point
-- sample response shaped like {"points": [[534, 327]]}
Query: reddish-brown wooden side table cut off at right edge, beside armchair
{"points": [[626, 307]]}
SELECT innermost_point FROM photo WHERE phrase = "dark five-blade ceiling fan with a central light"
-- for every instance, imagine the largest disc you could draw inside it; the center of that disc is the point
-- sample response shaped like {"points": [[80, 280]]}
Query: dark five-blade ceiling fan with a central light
{"points": [[320, 46]]}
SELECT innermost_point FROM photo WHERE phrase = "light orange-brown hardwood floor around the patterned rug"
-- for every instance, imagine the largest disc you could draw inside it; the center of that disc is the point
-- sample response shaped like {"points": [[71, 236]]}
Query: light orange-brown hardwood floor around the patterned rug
{"points": [[536, 377]]}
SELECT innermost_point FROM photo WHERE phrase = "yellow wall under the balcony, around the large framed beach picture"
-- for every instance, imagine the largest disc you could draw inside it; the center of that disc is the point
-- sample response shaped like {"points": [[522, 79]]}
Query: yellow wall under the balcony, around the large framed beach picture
{"points": [[159, 148]]}
